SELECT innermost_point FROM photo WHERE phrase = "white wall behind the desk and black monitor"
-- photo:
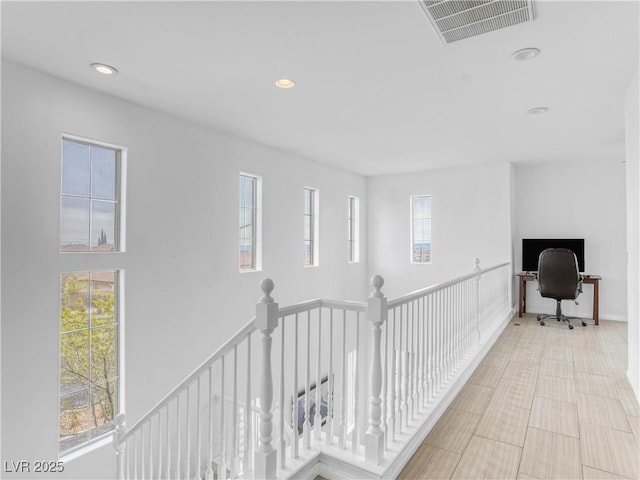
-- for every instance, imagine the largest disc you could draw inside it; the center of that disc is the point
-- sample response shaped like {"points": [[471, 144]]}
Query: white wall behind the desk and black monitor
{"points": [[577, 200]]}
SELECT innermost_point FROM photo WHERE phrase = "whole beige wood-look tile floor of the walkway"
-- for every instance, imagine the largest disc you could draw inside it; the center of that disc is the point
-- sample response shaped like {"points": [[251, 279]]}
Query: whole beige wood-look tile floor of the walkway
{"points": [[546, 402]]}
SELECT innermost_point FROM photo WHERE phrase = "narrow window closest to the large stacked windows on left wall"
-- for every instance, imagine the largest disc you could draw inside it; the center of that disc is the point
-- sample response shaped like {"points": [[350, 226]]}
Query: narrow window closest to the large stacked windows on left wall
{"points": [[250, 194]]}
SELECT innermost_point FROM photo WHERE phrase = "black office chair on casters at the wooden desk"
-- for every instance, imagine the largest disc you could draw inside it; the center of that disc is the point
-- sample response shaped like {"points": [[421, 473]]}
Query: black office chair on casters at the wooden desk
{"points": [[559, 278]]}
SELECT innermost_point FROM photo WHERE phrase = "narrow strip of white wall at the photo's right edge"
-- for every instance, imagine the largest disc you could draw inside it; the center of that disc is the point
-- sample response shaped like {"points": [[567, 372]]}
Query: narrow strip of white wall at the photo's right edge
{"points": [[633, 230]]}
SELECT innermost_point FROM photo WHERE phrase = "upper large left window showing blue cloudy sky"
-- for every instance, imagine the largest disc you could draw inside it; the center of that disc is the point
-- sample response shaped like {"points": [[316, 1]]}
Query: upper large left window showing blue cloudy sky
{"points": [[90, 203]]}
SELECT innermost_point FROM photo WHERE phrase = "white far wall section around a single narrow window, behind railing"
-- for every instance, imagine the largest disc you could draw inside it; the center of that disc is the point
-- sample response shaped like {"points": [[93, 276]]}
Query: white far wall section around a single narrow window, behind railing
{"points": [[471, 217]]}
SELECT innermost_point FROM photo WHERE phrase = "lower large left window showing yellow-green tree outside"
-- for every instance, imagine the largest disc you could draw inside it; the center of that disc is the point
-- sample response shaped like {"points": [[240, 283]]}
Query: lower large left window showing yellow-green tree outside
{"points": [[89, 387]]}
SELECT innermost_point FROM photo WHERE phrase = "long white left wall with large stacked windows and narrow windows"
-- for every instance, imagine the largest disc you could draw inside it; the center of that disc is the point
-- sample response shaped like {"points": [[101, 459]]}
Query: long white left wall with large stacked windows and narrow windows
{"points": [[184, 295]]}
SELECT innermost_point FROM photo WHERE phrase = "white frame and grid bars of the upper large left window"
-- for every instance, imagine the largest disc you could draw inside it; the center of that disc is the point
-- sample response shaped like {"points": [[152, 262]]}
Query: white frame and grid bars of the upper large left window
{"points": [[119, 201]]}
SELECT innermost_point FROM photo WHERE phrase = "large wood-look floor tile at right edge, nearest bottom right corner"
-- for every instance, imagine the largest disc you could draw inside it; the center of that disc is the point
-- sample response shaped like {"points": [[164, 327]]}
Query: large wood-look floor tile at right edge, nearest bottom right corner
{"points": [[609, 450]]}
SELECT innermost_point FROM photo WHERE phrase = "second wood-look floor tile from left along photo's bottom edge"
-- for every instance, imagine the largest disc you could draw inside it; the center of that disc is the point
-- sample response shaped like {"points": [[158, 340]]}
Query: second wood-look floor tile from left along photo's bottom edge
{"points": [[485, 458]]}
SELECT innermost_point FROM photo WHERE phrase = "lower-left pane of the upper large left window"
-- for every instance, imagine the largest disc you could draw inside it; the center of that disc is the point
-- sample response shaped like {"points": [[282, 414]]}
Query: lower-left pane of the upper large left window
{"points": [[74, 224]]}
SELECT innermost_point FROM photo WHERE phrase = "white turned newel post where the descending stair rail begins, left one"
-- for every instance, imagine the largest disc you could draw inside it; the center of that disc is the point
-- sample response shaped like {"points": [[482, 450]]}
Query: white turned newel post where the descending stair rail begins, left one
{"points": [[266, 320]]}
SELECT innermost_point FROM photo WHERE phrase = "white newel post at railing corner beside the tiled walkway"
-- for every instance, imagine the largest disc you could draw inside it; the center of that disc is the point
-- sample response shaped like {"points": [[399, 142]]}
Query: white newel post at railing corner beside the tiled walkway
{"points": [[377, 315]]}
